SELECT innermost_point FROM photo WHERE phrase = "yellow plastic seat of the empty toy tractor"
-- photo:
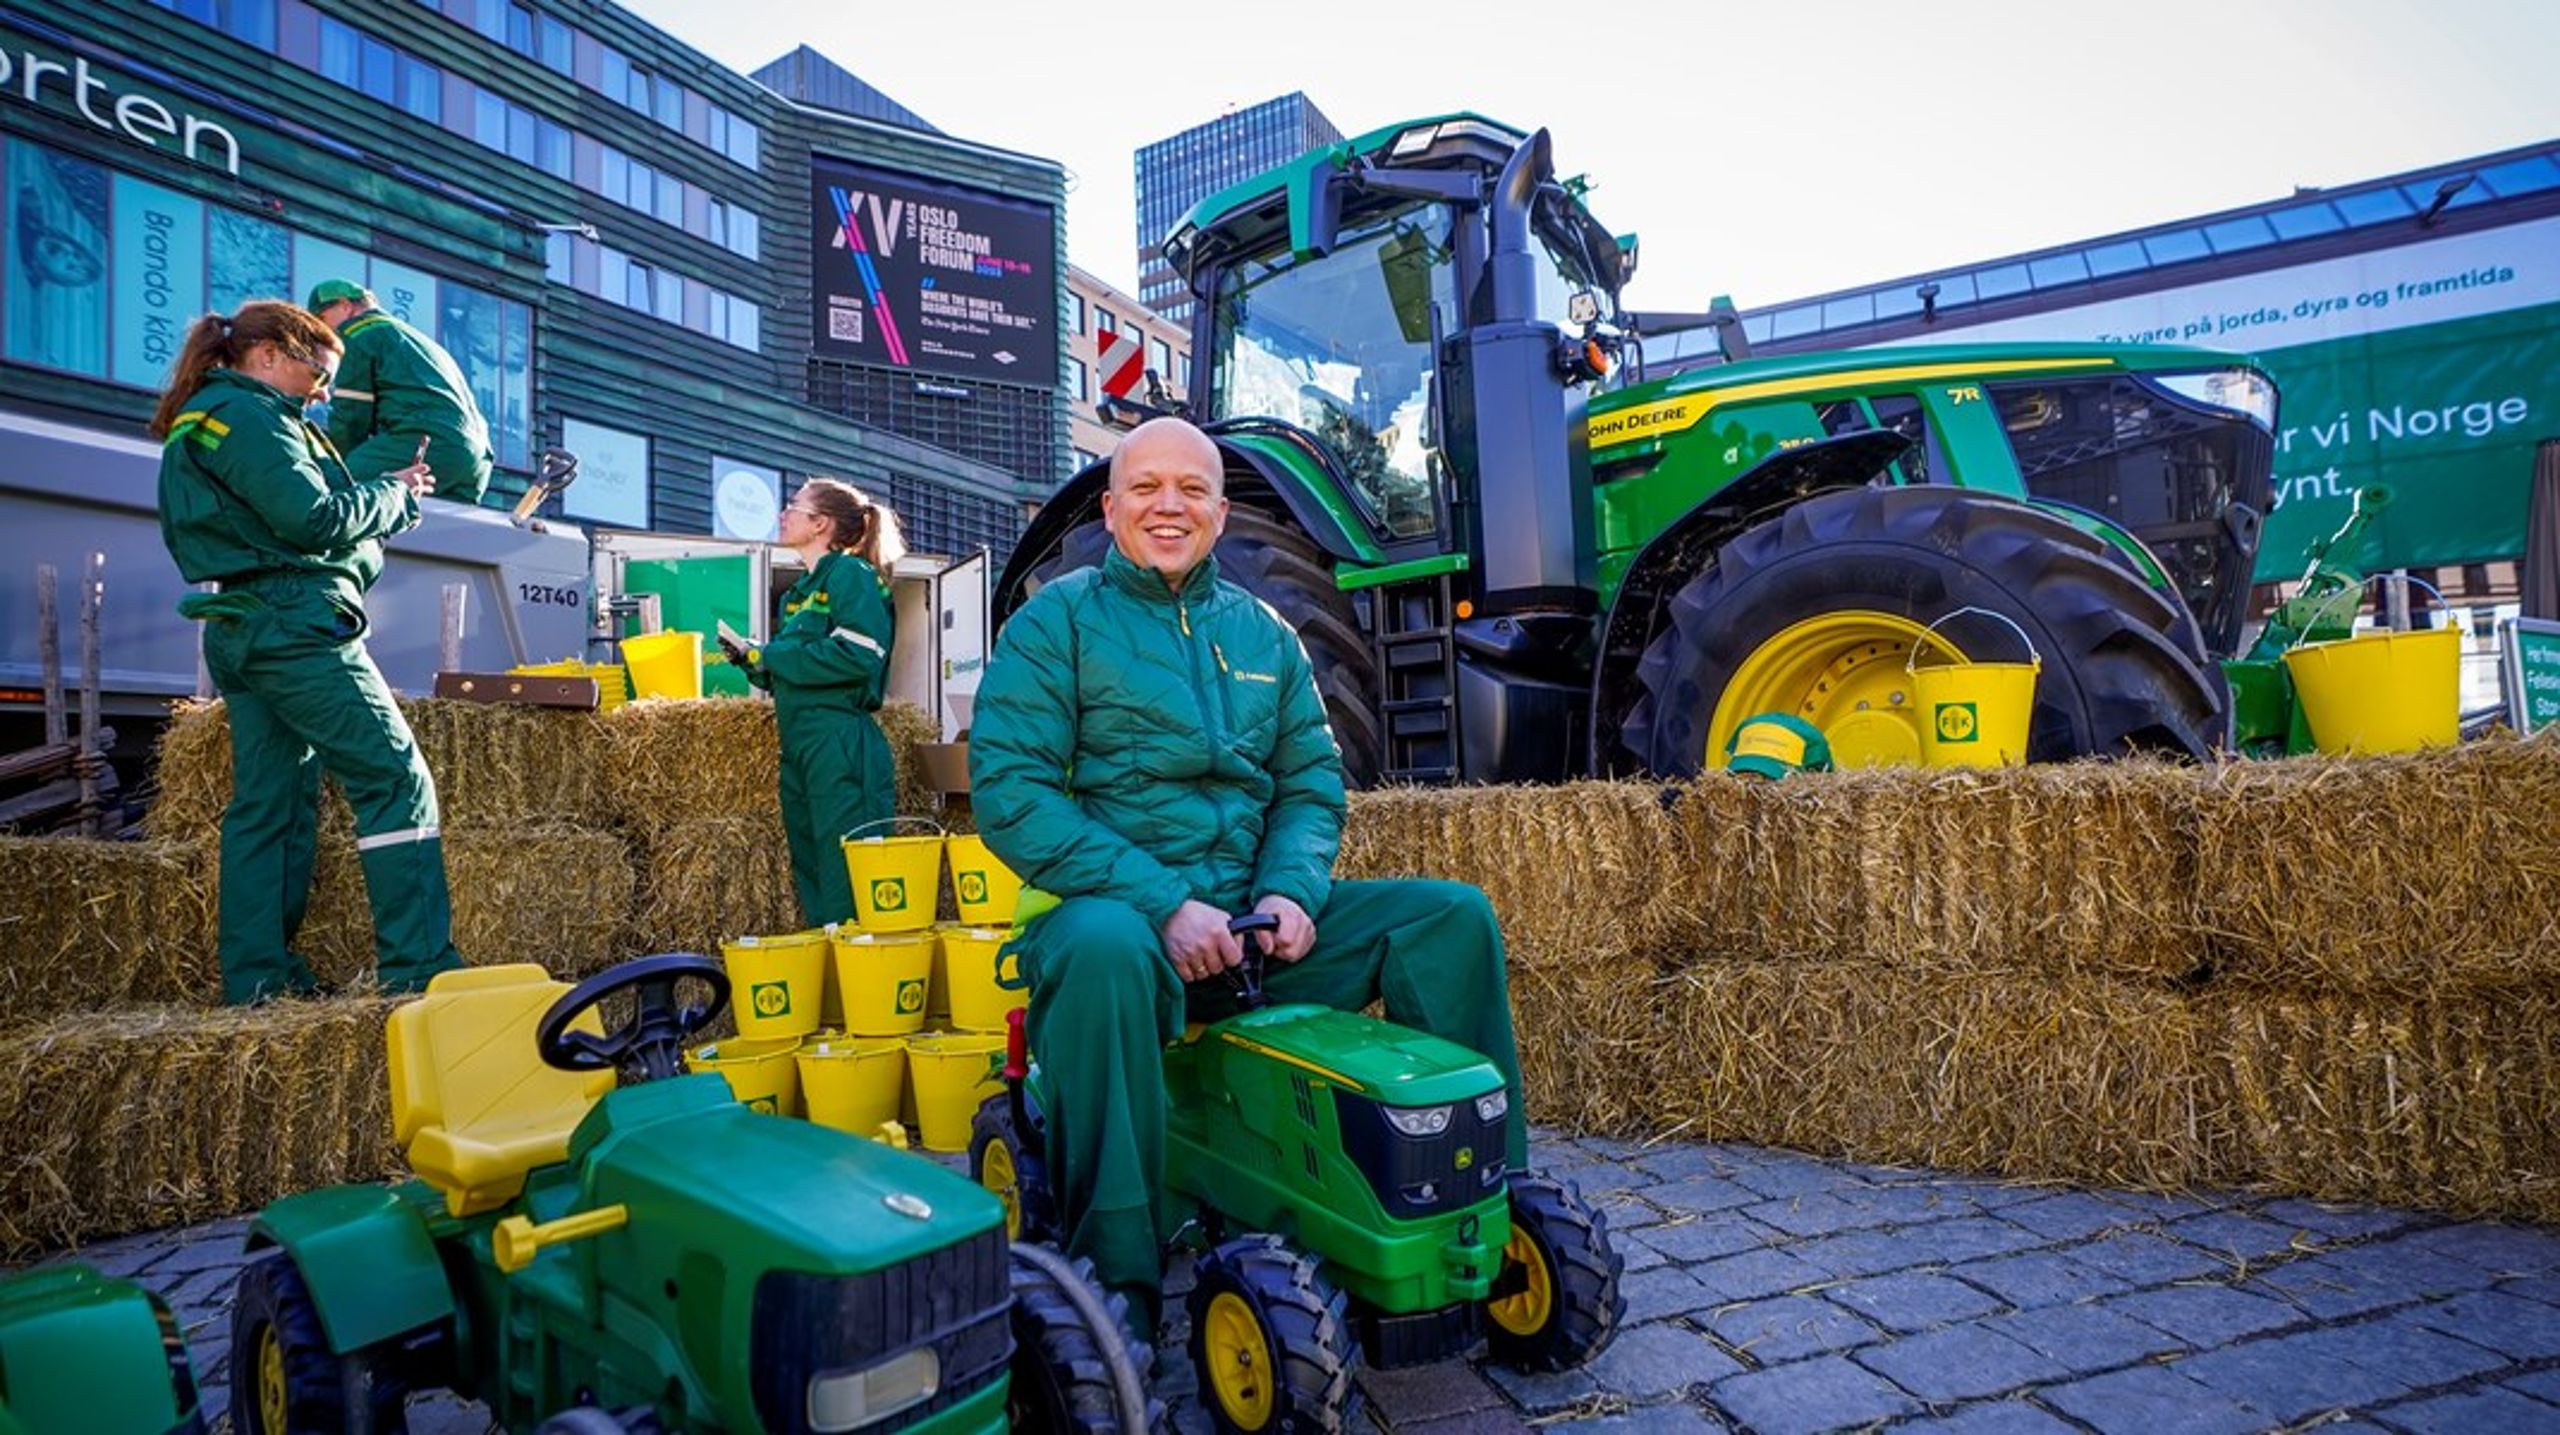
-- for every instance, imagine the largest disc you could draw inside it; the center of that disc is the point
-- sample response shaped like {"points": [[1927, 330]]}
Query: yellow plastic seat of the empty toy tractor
{"points": [[472, 1101]]}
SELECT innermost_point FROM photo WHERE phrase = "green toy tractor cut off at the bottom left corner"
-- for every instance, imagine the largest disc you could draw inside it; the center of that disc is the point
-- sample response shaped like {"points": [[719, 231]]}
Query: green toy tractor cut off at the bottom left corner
{"points": [[88, 1352]]}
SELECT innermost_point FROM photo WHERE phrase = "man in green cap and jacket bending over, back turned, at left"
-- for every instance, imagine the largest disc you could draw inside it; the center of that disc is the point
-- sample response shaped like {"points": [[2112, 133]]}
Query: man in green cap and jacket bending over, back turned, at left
{"points": [[396, 390]]}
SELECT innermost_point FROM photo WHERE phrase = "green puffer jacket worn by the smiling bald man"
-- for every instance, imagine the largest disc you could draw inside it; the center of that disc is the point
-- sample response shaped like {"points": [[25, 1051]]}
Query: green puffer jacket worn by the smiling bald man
{"points": [[1151, 746]]}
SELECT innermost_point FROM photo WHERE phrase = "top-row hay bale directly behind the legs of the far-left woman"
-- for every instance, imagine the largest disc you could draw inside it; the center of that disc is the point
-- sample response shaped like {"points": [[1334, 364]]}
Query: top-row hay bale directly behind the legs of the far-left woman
{"points": [[493, 764]]}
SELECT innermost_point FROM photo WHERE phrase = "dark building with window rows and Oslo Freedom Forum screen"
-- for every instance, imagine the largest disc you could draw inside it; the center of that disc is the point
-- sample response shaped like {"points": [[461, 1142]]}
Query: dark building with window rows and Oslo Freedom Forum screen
{"points": [[611, 234]]}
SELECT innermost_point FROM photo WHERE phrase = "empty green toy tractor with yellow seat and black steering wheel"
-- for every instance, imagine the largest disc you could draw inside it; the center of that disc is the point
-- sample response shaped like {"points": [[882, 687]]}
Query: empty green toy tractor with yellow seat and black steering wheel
{"points": [[652, 1255]]}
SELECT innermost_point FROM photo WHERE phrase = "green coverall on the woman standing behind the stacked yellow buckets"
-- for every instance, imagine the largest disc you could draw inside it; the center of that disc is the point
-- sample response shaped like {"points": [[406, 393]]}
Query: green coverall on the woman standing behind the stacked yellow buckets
{"points": [[828, 669]]}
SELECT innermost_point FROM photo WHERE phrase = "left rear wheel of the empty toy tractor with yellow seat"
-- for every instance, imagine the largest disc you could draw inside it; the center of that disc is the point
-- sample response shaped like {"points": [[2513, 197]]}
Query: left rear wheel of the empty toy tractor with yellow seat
{"points": [[288, 1380]]}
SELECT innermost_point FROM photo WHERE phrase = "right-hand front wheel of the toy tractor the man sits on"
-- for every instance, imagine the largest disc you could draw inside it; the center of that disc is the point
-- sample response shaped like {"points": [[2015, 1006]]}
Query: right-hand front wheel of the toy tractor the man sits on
{"points": [[1555, 1301]]}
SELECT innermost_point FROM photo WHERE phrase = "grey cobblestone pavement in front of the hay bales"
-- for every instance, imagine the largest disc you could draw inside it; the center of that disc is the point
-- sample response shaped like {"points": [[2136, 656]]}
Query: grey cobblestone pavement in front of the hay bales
{"points": [[1778, 1293]]}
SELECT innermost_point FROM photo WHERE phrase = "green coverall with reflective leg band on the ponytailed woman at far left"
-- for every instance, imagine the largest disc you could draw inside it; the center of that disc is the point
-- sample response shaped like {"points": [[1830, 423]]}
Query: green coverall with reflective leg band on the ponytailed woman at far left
{"points": [[255, 498]]}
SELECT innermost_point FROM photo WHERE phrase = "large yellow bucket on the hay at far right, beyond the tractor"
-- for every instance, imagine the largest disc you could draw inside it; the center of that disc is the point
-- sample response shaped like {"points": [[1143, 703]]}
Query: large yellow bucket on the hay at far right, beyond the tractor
{"points": [[2385, 692]]}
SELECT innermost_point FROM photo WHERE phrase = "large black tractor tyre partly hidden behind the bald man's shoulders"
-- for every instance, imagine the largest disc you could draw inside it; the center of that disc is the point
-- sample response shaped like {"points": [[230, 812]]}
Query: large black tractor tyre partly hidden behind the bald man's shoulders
{"points": [[1279, 564]]}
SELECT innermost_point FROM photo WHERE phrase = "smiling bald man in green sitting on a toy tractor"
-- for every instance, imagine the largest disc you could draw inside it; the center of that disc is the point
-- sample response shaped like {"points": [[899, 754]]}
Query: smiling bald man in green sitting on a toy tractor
{"points": [[1151, 748]]}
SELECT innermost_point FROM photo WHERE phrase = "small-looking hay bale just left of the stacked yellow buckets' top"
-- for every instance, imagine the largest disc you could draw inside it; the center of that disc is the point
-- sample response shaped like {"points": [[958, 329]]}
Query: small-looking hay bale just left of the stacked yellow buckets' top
{"points": [[716, 879]]}
